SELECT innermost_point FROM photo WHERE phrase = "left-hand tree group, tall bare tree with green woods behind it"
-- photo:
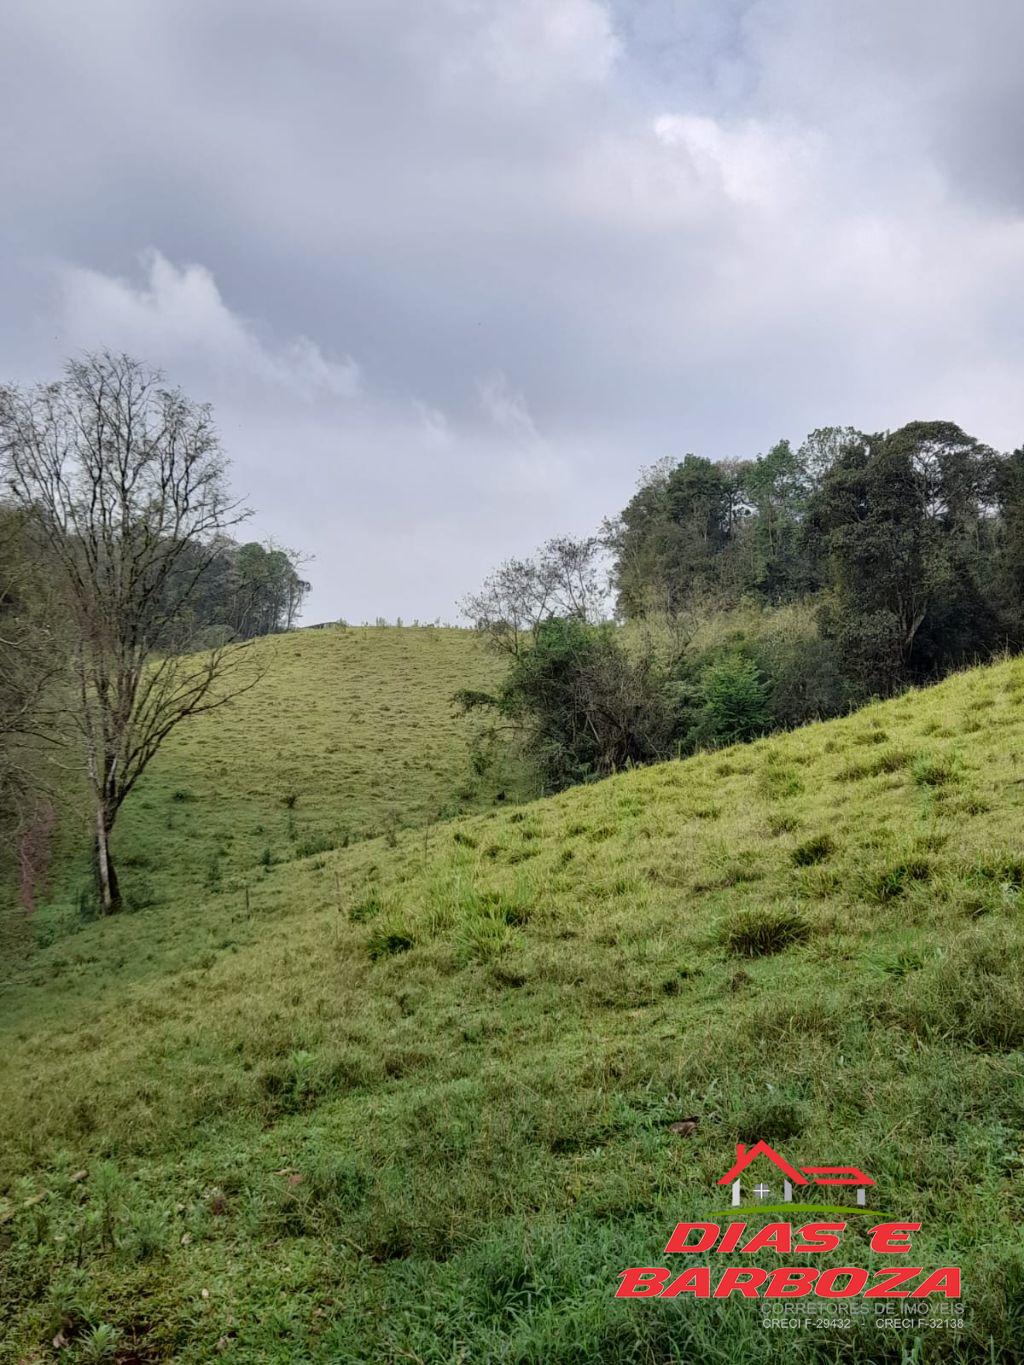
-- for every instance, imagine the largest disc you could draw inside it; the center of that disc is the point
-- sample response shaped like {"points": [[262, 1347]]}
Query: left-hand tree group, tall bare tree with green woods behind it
{"points": [[126, 605]]}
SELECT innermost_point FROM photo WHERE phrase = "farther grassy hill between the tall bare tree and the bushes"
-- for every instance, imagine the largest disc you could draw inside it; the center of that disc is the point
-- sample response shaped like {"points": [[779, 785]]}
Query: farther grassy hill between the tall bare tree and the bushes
{"points": [[350, 734]]}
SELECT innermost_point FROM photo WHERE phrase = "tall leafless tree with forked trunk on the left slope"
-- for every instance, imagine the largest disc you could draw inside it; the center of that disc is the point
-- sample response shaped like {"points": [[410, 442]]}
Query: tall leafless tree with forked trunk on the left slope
{"points": [[124, 484]]}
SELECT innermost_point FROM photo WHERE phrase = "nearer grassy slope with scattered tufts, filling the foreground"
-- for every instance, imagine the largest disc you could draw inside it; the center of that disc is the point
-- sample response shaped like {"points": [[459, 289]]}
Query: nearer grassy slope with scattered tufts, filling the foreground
{"points": [[413, 1100]]}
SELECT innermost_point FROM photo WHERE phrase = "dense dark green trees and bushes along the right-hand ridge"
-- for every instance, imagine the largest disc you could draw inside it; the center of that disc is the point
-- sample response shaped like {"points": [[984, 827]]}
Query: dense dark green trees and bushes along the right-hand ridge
{"points": [[749, 596]]}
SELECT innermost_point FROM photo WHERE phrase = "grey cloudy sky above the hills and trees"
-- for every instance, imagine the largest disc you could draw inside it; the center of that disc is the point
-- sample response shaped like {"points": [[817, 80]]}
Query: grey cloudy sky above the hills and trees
{"points": [[453, 272]]}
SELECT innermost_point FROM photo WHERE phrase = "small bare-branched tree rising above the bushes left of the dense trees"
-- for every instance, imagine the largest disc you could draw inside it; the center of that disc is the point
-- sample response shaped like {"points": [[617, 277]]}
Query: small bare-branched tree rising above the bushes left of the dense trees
{"points": [[563, 579]]}
